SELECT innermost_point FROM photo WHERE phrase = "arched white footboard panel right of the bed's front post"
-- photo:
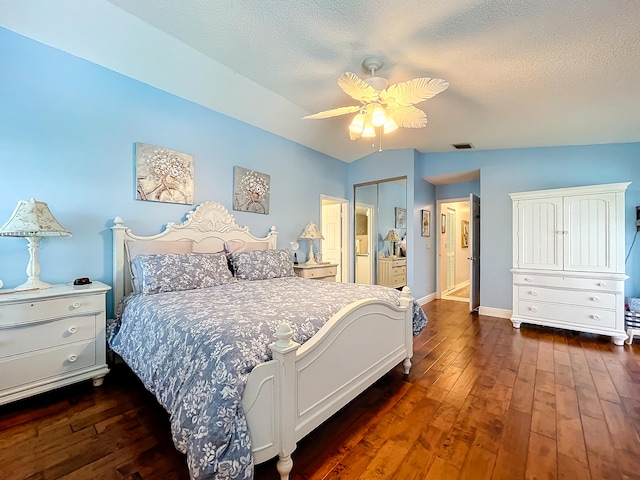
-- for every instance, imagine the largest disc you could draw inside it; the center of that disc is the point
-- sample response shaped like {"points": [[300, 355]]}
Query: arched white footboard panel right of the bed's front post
{"points": [[353, 350]]}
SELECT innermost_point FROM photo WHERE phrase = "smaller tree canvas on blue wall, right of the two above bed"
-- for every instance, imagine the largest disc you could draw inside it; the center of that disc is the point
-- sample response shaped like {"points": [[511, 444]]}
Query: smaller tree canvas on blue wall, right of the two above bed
{"points": [[251, 190]]}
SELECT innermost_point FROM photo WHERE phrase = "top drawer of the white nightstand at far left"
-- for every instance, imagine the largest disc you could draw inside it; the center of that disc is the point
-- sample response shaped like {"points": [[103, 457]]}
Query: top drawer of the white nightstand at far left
{"points": [[37, 310]]}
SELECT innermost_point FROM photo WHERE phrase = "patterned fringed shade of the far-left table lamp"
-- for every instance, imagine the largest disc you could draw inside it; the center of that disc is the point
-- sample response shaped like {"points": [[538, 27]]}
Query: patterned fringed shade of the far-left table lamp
{"points": [[32, 219]]}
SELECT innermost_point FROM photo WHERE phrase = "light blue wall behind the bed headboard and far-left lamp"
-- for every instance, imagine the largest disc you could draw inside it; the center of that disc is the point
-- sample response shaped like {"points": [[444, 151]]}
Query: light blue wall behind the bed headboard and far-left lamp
{"points": [[67, 134]]}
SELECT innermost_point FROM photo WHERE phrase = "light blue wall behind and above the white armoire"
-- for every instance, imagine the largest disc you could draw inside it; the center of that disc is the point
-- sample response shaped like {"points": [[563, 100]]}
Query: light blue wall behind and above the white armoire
{"points": [[506, 171]]}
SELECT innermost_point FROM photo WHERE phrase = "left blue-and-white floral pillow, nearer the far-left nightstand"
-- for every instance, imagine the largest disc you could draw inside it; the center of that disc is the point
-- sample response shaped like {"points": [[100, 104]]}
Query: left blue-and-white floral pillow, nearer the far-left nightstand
{"points": [[182, 271]]}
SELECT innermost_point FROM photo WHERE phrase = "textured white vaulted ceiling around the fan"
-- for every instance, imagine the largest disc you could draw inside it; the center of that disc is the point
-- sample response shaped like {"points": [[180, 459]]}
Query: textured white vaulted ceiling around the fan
{"points": [[522, 73]]}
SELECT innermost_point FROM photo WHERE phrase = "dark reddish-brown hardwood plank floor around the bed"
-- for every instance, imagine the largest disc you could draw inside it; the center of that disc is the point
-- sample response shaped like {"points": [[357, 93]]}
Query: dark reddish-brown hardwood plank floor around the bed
{"points": [[483, 401]]}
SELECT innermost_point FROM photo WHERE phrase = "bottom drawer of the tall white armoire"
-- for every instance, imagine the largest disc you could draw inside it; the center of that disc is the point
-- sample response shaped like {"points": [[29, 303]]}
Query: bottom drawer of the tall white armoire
{"points": [[567, 313]]}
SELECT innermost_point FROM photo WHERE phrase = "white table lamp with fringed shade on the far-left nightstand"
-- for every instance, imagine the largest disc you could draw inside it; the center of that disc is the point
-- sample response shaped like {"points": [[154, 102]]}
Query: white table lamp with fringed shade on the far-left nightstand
{"points": [[32, 219]]}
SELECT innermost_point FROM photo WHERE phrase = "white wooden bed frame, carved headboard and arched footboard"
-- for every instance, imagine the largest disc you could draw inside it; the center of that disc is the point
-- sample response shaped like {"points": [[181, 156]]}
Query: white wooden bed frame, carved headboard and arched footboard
{"points": [[289, 396]]}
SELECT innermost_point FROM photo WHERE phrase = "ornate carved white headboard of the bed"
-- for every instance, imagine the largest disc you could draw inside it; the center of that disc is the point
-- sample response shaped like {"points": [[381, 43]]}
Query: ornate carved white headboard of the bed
{"points": [[209, 226]]}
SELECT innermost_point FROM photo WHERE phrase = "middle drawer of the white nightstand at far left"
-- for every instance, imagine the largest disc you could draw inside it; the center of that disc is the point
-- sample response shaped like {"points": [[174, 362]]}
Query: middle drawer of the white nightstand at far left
{"points": [[24, 339]]}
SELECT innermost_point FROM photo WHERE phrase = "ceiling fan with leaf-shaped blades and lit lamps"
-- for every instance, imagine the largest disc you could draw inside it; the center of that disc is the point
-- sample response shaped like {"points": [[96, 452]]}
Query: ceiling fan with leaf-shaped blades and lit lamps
{"points": [[383, 107]]}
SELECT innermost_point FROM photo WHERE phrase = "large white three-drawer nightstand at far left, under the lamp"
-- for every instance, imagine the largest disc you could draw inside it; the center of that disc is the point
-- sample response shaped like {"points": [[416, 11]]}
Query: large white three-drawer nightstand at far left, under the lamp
{"points": [[50, 338]]}
